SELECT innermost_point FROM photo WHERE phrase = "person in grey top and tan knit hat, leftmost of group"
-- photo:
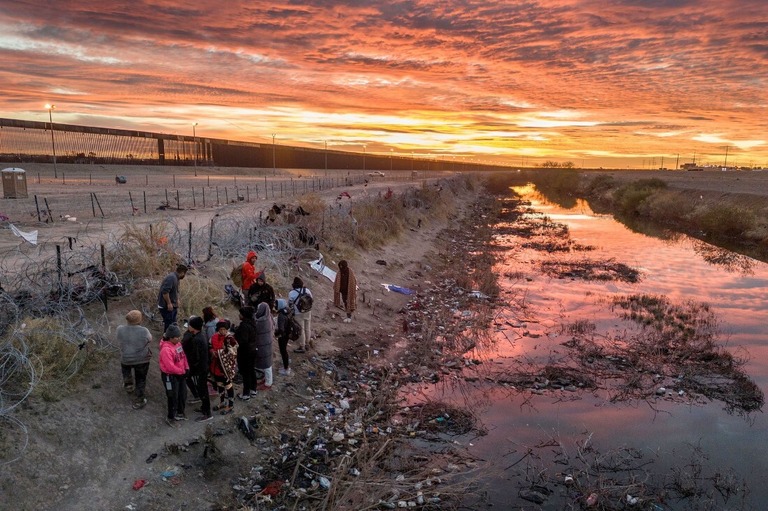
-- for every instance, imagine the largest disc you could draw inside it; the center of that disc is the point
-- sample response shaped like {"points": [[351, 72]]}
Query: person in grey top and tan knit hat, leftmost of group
{"points": [[135, 356]]}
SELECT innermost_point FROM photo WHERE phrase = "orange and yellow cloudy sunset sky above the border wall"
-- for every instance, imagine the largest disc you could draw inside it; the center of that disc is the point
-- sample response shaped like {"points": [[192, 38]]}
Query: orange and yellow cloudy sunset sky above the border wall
{"points": [[614, 83]]}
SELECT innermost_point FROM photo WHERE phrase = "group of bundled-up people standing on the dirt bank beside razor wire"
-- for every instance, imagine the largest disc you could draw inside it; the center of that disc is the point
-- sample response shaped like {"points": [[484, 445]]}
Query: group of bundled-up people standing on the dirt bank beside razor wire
{"points": [[213, 350]]}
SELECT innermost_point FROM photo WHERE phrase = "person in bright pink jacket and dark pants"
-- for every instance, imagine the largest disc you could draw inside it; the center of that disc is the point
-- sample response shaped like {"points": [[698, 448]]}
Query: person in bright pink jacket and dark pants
{"points": [[173, 368]]}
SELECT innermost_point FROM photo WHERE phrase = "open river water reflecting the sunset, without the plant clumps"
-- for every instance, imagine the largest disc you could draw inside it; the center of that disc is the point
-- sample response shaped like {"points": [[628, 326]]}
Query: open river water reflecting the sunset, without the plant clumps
{"points": [[670, 434]]}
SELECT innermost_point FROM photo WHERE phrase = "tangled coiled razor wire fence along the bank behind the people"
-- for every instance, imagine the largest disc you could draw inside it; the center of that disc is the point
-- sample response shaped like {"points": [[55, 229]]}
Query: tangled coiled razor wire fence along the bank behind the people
{"points": [[54, 298]]}
